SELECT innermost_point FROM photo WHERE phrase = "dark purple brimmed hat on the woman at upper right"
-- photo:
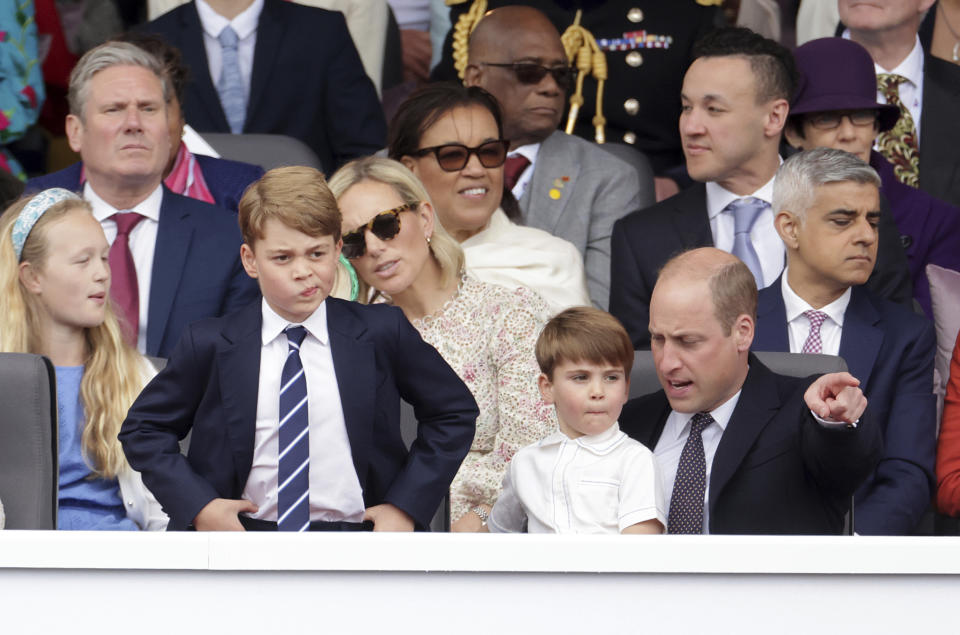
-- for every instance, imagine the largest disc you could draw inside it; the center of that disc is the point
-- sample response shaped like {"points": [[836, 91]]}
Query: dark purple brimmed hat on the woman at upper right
{"points": [[838, 74]]}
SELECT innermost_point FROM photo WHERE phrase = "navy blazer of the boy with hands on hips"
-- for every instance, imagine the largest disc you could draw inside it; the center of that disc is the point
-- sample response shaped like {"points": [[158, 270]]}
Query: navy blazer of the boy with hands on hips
{"points": [[210, 386]]}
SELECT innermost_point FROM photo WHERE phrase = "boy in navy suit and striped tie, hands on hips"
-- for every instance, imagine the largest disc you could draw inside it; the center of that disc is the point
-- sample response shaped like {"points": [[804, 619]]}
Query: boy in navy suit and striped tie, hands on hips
{"points": [[294, 401]]}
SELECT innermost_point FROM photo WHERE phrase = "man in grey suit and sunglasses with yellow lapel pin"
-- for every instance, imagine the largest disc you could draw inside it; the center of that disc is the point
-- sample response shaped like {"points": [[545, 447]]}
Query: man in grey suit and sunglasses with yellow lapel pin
{"points": [[565, 185]]}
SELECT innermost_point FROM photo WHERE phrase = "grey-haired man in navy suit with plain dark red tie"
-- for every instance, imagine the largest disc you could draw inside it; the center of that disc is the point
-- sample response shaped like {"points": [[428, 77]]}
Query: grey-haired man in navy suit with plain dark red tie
{"points": [[173, 260]]}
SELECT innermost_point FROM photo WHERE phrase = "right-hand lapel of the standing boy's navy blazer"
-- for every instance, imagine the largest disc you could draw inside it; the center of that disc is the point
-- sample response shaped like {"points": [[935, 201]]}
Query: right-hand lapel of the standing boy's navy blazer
{"points": [[354, 363]]}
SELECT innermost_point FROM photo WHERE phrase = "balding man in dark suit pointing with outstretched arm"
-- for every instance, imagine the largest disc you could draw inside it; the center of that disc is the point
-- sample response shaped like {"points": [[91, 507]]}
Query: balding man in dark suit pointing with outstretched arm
{"points": [[741, 449]]}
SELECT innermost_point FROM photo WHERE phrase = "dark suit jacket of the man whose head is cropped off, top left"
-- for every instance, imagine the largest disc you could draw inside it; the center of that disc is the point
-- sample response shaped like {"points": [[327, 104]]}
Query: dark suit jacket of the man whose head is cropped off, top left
{"points": [[307, 81]]}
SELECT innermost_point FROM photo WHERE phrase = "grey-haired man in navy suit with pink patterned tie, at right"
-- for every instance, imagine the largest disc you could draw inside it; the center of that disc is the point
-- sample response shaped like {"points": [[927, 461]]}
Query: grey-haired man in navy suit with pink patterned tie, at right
{"points": [[827, 206]]}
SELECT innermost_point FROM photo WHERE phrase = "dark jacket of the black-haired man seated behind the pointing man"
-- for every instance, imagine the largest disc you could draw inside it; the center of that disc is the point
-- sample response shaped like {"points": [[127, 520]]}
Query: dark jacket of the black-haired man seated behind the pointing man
{"points": [[643, 241]]}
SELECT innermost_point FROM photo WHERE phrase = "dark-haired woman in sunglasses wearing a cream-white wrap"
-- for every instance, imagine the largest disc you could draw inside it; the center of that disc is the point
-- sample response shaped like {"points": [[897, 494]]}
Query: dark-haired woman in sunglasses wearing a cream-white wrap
{"points": [[451, 137]]}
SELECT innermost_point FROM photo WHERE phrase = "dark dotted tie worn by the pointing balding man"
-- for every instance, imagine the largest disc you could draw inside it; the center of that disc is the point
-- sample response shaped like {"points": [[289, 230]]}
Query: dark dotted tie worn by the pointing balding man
{"points": [[686, 502]]}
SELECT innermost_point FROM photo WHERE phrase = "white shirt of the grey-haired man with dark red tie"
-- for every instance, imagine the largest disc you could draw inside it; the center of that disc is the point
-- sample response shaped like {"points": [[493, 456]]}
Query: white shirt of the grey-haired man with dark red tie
{"points": [[142, 241]]}
